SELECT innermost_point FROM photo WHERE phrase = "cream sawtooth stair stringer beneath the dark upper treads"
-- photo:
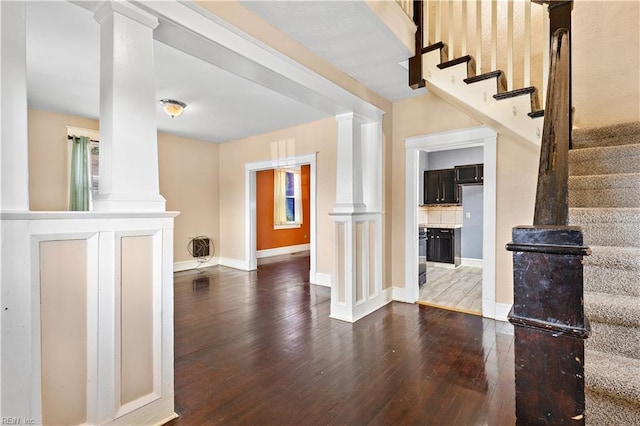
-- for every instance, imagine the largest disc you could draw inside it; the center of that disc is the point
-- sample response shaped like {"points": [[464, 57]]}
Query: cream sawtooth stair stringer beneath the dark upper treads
{"points": [[506, 116]]}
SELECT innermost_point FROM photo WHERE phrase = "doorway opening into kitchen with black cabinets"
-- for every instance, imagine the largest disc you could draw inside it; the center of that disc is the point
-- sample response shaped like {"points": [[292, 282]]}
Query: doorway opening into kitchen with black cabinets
{"points": [[453, 233]]}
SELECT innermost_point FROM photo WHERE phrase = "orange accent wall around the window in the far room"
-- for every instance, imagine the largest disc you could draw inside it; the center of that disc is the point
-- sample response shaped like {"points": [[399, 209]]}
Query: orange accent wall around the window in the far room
{"points": [[267, 237]]}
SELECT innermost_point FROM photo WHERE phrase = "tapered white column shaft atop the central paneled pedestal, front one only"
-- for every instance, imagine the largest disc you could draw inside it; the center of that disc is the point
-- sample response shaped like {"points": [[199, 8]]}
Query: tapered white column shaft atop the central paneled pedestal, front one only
{"points": [[349, 193]]}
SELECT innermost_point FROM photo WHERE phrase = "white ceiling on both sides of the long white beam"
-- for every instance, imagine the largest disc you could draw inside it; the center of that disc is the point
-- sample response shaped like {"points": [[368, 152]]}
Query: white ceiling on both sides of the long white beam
{"points": [[63, 68]]}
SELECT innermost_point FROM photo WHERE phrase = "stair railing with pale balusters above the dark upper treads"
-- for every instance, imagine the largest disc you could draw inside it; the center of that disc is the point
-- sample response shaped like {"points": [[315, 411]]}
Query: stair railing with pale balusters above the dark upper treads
{"points": [[500, 35]]}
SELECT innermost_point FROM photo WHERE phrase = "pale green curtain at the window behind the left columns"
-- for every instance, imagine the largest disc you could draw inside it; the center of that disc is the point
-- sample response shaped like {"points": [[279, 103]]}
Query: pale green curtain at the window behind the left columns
{"points": [[80, 180]]}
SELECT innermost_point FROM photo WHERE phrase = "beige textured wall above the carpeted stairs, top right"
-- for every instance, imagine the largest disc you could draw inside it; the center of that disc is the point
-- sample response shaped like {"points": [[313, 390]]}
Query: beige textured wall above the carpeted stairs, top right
{"points": [[606, 62]]}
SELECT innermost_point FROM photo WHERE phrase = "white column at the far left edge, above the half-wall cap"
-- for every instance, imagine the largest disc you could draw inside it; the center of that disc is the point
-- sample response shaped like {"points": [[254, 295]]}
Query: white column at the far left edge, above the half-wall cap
{"points": [[14, 154]]}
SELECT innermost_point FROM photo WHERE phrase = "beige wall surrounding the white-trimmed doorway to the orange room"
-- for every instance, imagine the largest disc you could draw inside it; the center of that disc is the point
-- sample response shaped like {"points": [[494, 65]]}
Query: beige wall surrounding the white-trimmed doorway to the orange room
{"points": [[319, 136]]}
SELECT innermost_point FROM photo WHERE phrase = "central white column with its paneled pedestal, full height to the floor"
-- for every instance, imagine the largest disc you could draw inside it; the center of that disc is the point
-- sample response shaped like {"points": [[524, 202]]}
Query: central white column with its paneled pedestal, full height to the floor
{"points": [[357, 280]]}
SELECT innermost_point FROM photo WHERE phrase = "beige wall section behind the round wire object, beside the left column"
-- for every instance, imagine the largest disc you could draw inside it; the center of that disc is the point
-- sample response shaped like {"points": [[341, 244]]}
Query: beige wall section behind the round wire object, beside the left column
{"points": [[189, 181]]}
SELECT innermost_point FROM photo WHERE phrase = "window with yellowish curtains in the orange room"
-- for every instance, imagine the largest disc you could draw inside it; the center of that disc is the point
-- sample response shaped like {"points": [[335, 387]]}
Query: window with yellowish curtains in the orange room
{"points": [[287, 203]]}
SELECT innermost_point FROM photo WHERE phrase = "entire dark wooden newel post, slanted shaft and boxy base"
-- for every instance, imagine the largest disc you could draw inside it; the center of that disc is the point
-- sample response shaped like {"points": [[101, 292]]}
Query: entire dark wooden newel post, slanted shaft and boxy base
{"points": [[548, 312]]}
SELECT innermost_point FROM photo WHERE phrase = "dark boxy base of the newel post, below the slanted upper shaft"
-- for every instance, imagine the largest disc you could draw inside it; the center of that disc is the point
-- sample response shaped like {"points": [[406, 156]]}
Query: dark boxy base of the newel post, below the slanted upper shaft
{"points": [[549, 324]]}
